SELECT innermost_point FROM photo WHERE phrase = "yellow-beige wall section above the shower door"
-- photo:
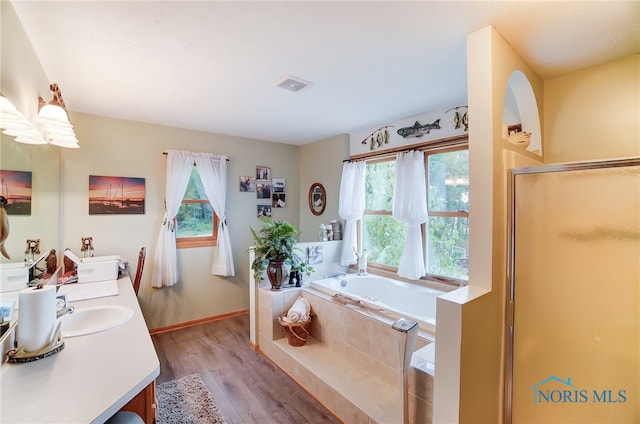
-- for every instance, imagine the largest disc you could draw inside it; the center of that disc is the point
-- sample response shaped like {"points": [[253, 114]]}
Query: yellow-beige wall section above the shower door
{"points": [[593, 113]]}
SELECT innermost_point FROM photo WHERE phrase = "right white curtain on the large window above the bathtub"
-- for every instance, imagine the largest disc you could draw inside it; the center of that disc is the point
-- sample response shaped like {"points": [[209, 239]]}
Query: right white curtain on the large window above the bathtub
{"points": [[410, 207]]}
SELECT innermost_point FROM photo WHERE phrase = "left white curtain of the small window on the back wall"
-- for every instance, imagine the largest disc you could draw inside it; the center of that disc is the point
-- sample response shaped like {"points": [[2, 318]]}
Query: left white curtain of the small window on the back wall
{"points": [[165, 264]]}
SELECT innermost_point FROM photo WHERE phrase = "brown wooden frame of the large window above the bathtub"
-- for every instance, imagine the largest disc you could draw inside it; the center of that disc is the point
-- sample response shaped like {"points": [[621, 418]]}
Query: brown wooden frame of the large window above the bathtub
{"points": [[439, 146]]}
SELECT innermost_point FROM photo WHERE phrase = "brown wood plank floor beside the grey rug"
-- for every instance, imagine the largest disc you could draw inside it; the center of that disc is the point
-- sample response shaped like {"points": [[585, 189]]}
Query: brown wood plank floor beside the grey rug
{"points": [[247, 387]]}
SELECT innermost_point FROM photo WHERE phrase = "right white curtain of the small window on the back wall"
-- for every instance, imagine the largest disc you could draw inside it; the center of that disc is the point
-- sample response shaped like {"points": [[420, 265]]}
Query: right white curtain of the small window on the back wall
{"points": [[213, 173]]}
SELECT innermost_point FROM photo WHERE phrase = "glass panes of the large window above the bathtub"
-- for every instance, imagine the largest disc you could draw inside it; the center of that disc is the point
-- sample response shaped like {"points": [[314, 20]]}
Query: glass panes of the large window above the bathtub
{"points": [[446, 233]]}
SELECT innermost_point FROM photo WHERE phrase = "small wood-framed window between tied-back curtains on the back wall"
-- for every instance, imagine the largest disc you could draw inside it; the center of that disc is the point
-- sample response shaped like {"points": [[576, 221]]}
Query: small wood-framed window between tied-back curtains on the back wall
{"points": [[196, 222]]}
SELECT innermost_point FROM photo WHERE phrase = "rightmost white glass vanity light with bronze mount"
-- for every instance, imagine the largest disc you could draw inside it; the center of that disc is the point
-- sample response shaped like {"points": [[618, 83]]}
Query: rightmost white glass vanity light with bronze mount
{"points": [[53, 117]]}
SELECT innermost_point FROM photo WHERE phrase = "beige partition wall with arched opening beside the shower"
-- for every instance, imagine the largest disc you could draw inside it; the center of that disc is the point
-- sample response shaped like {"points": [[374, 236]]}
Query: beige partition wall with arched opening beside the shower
{"points": [[473, 331]]}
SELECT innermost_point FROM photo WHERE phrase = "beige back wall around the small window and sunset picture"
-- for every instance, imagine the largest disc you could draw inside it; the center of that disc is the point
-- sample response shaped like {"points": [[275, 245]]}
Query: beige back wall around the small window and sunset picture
{"points": [[133, 149]]}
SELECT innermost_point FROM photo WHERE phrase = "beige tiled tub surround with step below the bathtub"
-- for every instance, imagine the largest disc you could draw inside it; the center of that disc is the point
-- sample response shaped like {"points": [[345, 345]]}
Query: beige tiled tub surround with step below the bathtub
{"points": [[352, 362]]}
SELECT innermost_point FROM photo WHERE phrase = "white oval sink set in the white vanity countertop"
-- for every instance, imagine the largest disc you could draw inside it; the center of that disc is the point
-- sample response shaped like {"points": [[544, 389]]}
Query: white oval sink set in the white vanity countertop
{"points": [[94, 319]]}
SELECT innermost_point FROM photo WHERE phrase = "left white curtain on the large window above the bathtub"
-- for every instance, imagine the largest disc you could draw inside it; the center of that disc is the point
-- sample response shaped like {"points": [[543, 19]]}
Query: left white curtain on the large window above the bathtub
{"points": [[351, 207]]}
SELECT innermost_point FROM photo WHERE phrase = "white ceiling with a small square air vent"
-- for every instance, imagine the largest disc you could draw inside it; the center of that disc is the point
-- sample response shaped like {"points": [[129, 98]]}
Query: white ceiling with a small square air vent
{"points": [[211, 65]]}
